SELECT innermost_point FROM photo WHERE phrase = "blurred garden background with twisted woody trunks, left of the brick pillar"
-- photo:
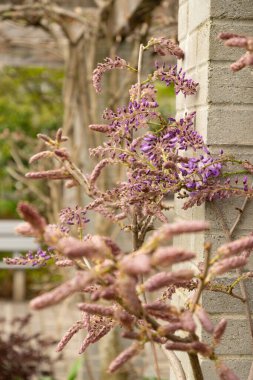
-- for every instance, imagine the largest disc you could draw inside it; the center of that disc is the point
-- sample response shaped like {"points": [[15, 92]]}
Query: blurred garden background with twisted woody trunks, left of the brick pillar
{"points": [[48, 50]]}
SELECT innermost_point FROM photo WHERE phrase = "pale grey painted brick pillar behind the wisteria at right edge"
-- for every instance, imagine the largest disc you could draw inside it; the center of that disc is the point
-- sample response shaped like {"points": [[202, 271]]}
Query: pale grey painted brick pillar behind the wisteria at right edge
{"points": [[224, 106]]}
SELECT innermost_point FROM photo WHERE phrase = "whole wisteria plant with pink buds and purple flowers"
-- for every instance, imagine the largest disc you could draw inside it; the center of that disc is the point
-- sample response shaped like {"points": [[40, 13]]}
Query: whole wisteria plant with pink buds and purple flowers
{"points": [[161, 156]]}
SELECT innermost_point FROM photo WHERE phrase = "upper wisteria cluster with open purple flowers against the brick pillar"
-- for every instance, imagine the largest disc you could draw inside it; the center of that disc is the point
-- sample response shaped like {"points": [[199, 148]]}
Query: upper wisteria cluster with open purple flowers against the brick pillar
{"points": [[162, 155]]}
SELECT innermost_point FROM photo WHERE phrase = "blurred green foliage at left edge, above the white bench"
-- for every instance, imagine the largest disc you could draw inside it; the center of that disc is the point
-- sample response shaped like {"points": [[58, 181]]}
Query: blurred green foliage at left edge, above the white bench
{"points": [[30, 102]]}
